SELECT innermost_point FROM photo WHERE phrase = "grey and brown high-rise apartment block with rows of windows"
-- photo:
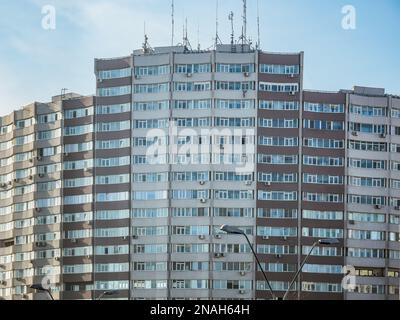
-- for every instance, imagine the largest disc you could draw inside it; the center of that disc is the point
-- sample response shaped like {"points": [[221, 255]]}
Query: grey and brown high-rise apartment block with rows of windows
{"points": [[127, 190]]}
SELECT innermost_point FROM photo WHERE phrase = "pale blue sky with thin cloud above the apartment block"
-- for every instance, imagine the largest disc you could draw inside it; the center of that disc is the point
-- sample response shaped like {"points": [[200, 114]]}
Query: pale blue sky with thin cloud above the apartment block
{"points": [[36, 64]]}
